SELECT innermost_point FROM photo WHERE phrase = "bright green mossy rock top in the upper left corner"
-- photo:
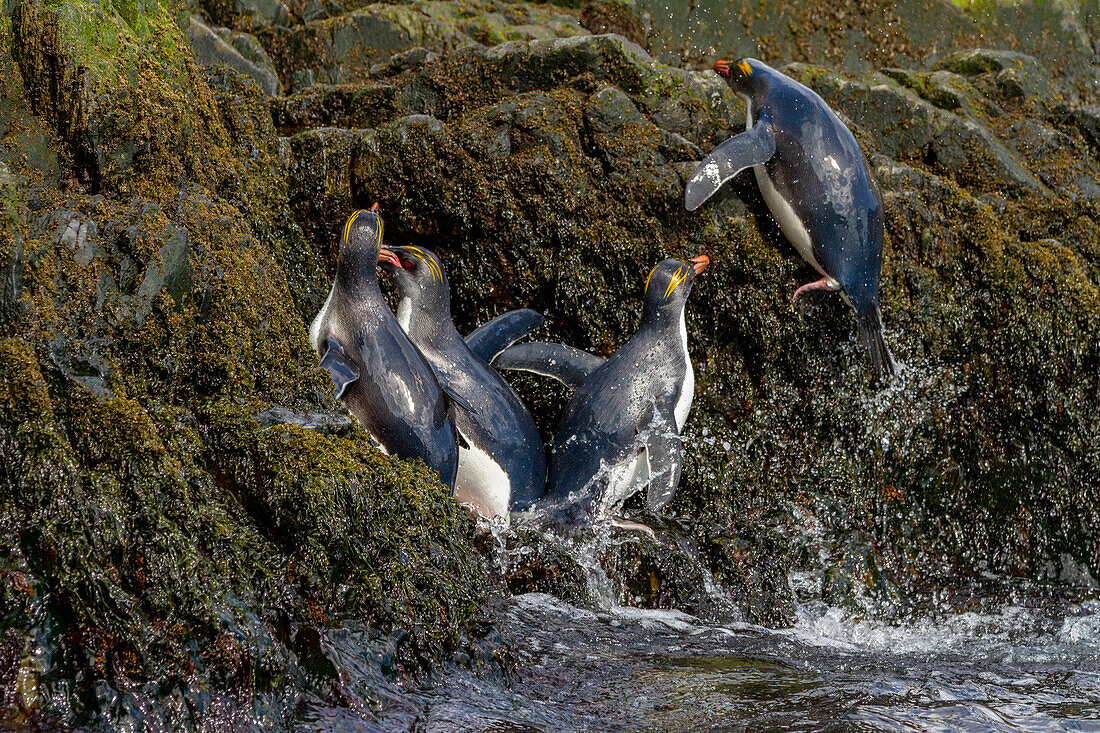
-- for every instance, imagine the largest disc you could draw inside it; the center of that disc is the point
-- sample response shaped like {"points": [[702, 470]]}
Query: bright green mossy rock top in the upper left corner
{"points": [[137, 112]]}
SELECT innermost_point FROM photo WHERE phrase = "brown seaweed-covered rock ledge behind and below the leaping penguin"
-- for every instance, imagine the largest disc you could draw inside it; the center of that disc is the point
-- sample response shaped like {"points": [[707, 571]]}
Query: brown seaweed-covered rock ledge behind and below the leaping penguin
{"points": [[555, 182]]}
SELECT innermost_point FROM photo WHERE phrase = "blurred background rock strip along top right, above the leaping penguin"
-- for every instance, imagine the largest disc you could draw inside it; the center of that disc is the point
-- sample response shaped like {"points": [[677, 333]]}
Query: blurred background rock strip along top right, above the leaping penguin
{"points": [[916, 35]]}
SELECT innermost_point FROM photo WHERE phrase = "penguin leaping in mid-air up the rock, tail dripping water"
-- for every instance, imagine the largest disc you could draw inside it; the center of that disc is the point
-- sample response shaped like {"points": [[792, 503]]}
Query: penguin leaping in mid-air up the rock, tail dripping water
{"points": [[817, 185]]}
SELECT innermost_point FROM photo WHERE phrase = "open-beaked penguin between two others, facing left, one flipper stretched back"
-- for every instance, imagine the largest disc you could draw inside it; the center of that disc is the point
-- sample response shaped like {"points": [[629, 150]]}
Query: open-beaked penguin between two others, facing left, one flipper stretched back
{"points": [[502, 461]]}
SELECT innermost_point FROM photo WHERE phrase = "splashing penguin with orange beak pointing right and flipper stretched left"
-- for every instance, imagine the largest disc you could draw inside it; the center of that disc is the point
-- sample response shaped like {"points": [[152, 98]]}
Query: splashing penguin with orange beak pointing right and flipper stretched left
{"points": [[621, 430]]}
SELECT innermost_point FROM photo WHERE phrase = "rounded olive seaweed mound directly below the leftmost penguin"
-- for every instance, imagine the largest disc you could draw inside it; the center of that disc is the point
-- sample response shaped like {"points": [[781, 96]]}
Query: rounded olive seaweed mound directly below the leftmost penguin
{"points": [[369, 538]]}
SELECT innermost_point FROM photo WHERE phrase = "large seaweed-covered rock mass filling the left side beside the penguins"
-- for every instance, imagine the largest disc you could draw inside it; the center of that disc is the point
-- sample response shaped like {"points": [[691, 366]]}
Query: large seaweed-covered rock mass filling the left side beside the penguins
{"points": [[172, 540]]}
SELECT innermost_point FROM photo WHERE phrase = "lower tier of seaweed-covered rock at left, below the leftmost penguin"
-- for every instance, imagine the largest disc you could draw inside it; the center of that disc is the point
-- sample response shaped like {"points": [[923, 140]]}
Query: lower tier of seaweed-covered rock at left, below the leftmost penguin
{"points": [[145, 530]]}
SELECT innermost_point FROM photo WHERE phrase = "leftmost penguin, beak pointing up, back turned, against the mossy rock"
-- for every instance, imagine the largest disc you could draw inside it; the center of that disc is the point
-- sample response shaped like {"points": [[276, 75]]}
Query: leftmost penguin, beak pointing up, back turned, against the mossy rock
{"points": [[376, 370]]}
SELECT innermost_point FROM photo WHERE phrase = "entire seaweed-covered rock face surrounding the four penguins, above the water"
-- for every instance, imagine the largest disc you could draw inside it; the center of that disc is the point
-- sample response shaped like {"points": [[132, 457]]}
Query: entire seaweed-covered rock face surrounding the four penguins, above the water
{"points": [[178, 485]]}
